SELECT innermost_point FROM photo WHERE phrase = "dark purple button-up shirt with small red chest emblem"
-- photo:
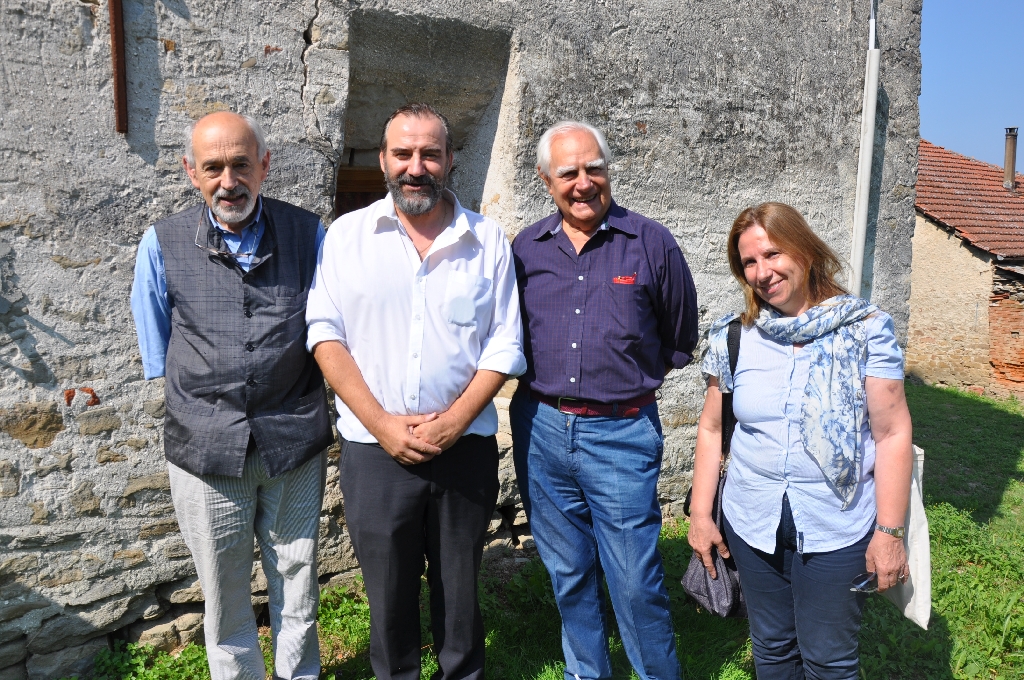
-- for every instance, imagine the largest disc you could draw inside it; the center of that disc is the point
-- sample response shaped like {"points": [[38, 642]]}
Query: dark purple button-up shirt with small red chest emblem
{"points": [[604, 325]]}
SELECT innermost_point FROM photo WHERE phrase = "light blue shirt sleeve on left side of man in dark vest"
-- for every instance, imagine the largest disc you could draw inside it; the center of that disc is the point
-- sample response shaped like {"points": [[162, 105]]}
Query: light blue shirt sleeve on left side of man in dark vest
{"points": [[150, 306]]}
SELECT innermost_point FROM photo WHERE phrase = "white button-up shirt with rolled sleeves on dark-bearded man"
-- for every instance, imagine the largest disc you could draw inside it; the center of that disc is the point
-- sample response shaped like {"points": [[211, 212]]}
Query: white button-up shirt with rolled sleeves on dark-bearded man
{"points": [[418, 331]]}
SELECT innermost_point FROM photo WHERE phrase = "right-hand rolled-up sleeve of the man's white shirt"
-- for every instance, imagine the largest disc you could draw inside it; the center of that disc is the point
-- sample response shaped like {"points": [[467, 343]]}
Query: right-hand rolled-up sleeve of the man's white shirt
{"points": [[502, 350]]}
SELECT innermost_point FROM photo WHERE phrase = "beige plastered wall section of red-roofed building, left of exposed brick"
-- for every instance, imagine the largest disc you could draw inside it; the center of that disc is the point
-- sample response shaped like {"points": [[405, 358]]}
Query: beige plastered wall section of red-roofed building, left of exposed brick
{"points": [[952, 283]]}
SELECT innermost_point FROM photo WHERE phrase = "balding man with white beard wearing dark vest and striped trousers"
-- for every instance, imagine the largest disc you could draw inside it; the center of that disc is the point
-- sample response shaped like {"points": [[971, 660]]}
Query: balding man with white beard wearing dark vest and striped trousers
{"points": [[220, 307]]}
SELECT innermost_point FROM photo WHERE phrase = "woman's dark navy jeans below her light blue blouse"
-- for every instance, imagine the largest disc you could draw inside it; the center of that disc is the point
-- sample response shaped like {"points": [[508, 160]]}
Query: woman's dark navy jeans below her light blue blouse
{"points": [[804, 619]]}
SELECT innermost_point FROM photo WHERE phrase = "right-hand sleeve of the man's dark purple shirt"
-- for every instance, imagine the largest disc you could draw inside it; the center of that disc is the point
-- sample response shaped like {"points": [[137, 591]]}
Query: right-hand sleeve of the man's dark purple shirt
{"points": [[677, 314]]}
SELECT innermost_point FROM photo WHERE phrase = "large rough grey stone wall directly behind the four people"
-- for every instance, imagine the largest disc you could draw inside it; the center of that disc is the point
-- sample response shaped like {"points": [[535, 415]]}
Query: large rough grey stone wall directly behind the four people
{"points": [[710, 107]]}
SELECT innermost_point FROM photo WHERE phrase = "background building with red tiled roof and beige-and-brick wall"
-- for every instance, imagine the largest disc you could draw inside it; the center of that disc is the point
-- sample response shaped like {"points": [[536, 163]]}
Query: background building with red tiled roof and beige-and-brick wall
{"points": [[967, 302]]}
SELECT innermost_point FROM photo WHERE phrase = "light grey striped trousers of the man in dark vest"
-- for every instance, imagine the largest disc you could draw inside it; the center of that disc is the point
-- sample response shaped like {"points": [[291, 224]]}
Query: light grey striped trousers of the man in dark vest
{"points": [[220, 517]]}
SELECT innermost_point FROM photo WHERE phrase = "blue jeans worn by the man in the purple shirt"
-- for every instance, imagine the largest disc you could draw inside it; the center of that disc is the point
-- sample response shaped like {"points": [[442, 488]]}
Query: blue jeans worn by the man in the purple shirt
{"points": [[592, 505]]}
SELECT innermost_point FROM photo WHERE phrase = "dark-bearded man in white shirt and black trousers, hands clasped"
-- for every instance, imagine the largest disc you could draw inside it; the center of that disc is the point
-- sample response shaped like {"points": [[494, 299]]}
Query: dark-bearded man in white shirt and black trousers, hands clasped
{"points": [[414, 319]]}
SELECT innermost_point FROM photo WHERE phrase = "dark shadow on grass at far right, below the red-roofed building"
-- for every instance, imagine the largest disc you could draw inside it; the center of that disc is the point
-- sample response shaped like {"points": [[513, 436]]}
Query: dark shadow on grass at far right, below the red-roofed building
{"points": [[973, 448]]}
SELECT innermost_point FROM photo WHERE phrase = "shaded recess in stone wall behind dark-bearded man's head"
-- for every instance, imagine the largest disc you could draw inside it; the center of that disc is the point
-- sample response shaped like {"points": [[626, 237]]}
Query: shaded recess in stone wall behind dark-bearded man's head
{"points": [[458, 68]]}
